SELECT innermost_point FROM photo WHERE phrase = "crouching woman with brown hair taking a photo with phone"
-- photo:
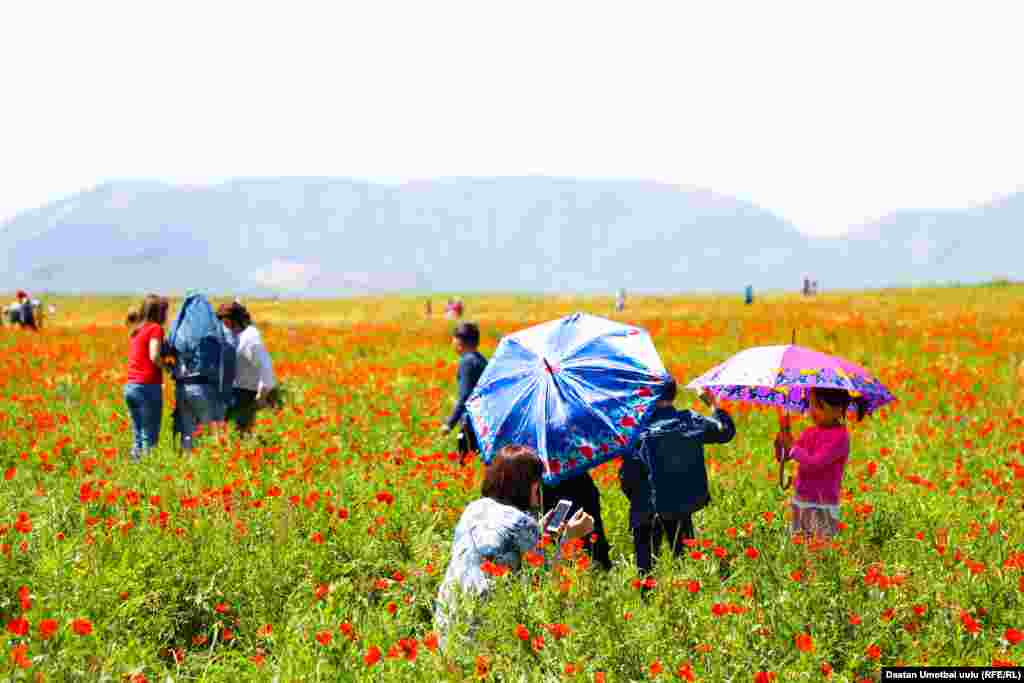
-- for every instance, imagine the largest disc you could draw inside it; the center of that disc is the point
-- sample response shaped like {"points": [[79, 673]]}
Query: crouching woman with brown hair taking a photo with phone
{"points": [[497, 531]]}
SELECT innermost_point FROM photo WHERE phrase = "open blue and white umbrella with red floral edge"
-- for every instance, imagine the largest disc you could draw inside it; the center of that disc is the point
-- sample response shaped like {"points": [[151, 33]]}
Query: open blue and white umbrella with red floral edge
{"points": [[578, 391]]}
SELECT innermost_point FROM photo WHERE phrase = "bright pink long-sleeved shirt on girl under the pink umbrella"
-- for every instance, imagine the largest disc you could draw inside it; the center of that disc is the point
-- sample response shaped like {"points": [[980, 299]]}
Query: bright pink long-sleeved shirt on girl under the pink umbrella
{"points": [[823, 453]]}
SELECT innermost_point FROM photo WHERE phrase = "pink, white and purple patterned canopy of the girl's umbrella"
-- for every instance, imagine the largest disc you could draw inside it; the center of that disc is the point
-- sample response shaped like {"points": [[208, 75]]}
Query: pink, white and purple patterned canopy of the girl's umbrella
{"points": [[781, 376]]}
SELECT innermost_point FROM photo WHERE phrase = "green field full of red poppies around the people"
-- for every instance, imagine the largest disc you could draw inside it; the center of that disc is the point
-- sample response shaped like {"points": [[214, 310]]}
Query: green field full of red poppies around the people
{"points": [[313, 550]]}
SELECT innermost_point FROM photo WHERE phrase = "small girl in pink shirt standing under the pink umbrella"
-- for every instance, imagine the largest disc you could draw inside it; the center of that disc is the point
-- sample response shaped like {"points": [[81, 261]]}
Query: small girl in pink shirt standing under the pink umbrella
{"points": [[823, 452]]}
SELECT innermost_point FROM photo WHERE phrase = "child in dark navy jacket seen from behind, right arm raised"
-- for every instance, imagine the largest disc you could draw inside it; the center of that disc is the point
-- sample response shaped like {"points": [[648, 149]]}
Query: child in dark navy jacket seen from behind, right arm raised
{"points": [[673, 445]]}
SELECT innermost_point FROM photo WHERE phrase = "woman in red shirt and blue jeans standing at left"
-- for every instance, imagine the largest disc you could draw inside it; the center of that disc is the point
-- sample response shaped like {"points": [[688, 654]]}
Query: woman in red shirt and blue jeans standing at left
{"points": [[144, 391]]}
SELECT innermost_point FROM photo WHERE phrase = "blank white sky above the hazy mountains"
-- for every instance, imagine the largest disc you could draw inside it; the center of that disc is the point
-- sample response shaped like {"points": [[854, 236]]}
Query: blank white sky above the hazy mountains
{"points": [[828, 114]]}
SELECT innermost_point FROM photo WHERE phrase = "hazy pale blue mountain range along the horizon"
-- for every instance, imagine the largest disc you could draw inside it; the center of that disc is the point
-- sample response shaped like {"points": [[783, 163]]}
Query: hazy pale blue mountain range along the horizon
{"points": [[326, 237]]}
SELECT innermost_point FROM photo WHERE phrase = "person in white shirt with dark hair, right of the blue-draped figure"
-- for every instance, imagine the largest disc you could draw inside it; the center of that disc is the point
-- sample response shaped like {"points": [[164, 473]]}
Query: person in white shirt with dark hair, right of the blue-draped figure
{"points": [[255, 383]]}
